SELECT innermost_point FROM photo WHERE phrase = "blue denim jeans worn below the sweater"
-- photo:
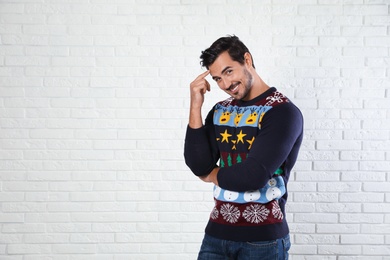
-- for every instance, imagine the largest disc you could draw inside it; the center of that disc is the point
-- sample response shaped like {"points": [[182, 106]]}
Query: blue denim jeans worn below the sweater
{"points": [[218, 249]]}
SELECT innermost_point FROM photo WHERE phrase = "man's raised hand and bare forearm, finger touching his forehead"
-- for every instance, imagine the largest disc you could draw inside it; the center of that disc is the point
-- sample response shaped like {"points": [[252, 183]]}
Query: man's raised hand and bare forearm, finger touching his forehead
{"points": [[198, 88]]}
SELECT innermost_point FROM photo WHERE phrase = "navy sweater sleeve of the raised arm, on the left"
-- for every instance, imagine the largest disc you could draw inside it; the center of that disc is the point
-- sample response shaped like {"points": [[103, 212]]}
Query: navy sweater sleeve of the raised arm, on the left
{"points": [[200, 149]]}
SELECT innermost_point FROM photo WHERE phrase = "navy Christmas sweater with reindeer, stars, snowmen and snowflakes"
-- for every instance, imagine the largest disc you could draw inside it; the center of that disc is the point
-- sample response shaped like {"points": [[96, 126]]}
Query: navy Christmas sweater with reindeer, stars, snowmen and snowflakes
{"points": [[256, 143]]}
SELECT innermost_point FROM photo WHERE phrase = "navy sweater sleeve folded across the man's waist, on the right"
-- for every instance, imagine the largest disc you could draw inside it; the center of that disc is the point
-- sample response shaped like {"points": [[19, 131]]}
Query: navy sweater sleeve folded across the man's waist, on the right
{"points": [[278, 140]]}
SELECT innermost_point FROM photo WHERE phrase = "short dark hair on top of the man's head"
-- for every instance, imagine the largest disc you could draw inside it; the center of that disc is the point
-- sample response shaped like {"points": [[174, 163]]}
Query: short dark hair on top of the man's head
{"points": [[231, 44]]}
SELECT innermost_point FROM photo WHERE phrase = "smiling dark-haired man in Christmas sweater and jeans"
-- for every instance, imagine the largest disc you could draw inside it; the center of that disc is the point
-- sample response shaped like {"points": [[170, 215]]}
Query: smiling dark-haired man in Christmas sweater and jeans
{"points": [[255, 135]]}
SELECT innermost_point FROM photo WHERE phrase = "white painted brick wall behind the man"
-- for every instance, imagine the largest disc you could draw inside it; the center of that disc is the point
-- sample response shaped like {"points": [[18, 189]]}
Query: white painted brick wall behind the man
{"points": [[94, 105]]}
